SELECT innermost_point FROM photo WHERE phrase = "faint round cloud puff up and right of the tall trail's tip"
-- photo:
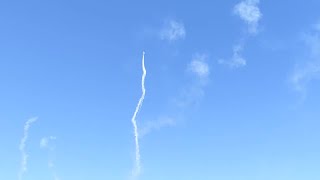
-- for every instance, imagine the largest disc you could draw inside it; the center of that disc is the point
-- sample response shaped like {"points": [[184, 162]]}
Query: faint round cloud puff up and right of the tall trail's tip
{"points": [[172, 31]]}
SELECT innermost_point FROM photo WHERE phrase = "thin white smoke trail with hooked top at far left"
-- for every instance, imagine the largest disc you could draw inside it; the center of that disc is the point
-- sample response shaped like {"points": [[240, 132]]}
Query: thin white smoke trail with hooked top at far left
{"points": [[22, 146]]}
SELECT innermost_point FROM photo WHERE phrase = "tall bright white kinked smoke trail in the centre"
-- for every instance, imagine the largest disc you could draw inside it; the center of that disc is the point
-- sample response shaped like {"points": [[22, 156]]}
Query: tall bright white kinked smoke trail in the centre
{"points": [[134, 122]]}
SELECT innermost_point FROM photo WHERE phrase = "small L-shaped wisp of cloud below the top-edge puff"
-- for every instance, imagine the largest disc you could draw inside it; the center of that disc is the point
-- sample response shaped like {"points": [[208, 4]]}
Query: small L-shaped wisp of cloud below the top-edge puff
{"points": [[236, 60]]}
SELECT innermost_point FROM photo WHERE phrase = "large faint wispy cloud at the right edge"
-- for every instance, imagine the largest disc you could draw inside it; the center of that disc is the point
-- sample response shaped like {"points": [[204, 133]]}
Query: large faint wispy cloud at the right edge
{"points": [[309, 70]]}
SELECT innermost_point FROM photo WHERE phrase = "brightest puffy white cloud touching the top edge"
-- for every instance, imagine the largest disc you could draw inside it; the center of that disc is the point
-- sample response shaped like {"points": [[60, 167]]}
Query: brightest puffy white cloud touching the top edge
{"points": [[249, 12]]}
